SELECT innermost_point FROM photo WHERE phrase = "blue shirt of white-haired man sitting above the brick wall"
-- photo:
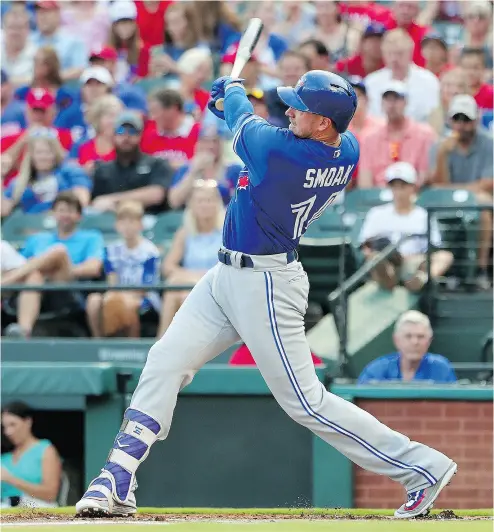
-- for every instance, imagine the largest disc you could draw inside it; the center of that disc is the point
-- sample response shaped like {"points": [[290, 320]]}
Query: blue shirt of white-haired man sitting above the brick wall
{"points": [[435, 368]]}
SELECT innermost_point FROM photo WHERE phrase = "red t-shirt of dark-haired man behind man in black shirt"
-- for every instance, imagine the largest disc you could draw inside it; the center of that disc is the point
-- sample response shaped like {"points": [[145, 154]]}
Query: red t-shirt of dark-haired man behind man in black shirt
{"points": [[177, 149]]}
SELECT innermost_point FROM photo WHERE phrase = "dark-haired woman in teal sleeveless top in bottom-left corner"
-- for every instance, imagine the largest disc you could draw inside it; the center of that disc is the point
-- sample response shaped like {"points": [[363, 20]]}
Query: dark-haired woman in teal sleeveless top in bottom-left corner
{"points": [[32, 471]]}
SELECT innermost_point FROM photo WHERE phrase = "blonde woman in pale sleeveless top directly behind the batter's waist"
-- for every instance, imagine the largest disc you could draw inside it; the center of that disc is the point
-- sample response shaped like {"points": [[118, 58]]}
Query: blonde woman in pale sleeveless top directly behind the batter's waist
{"points": [[194, 249]]}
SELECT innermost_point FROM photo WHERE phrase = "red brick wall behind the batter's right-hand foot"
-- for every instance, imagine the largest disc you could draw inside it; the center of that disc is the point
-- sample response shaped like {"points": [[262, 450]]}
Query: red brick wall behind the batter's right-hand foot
{"points": [[460, 429]]}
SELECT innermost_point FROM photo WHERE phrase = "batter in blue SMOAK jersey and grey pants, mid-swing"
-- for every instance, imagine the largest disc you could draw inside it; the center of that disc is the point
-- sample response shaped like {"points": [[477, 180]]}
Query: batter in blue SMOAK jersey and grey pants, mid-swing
{"points": [[258, 293]]}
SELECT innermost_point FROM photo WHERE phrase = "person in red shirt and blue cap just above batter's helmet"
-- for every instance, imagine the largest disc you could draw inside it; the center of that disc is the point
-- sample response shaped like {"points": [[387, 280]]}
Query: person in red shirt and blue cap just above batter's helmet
{"points": [[369, 57]]}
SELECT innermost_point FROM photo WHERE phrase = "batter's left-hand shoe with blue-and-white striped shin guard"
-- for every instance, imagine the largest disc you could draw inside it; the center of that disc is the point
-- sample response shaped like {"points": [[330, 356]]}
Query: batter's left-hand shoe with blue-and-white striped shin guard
{"points": [[111, 493]]}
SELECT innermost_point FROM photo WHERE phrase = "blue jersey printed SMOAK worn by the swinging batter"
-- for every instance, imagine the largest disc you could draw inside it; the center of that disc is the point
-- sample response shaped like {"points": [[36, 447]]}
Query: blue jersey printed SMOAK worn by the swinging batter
{"points": [[285, 185]]}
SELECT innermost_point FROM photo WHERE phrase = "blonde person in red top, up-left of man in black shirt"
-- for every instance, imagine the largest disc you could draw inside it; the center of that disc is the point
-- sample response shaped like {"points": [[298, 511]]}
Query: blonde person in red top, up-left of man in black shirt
{"points": [[101, 117]]}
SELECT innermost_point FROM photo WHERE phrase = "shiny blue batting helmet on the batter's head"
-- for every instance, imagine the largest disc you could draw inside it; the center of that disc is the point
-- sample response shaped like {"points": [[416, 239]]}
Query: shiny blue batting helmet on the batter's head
{"points": [[322, 93]]}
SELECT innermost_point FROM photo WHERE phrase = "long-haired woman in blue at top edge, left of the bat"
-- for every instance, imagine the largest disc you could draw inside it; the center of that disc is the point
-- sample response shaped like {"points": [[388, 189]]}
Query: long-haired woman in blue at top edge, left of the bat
{"points": [[182, 33]]}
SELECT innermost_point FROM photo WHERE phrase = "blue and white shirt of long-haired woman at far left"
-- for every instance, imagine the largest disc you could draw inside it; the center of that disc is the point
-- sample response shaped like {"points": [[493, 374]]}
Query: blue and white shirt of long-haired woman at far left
{"points": [[40, 194]]}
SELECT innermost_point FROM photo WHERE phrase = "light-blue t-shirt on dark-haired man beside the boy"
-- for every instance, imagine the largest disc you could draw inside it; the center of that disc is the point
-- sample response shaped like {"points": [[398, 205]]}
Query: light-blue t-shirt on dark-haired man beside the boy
{"points": [[81, 245]]}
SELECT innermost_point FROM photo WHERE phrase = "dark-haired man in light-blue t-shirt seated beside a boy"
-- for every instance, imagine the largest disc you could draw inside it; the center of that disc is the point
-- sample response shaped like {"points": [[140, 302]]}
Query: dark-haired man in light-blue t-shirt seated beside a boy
{"points": [[80, 252]]}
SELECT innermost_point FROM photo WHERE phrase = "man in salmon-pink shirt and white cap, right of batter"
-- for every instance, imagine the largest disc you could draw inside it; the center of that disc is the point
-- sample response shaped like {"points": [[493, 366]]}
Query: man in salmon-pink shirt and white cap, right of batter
{"points": [[398, 139]]}
